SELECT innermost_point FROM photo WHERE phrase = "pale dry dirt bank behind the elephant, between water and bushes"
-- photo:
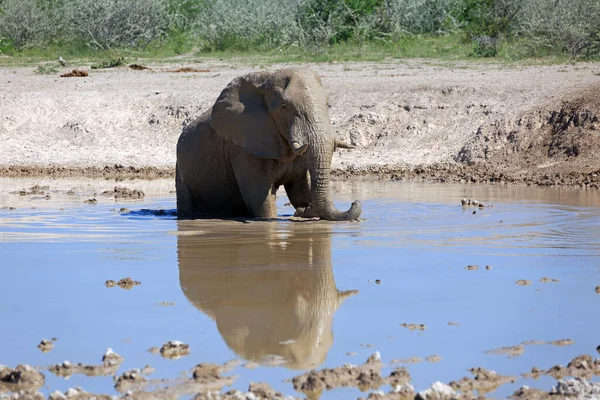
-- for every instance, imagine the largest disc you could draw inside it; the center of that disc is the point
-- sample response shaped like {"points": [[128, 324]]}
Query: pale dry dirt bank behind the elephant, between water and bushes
{"points": [[447, 122]]}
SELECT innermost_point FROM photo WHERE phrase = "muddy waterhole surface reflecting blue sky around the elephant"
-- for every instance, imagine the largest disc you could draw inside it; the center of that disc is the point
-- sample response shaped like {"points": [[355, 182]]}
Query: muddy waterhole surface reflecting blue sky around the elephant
{"points": [[286, 296]]}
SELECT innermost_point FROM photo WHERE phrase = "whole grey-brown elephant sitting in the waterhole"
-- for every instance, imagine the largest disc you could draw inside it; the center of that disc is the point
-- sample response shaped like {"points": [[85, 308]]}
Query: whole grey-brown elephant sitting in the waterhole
{"points": [[266, 129]]}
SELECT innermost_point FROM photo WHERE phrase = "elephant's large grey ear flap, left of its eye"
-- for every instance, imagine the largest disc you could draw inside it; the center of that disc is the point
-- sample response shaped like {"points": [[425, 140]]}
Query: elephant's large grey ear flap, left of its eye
{"points": [[240, 116]]}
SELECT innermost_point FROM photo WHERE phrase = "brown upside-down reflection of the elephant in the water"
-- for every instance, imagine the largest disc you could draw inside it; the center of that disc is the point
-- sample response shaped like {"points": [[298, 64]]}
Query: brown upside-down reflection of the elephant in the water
{"points": [[269, 286]]}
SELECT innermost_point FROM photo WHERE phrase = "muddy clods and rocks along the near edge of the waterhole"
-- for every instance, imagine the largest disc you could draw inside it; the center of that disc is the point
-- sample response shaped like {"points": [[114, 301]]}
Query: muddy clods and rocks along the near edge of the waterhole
{"points": [[206, 381]]}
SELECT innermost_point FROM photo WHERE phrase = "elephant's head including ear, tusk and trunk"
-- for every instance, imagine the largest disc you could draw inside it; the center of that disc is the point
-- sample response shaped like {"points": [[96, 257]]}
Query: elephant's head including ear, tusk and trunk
{"points": [[283, 115]]}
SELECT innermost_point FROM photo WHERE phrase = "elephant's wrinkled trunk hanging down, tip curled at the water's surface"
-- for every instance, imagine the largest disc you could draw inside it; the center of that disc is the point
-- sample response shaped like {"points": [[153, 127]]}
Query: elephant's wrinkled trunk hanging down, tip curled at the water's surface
{"points": [[319, 160]]}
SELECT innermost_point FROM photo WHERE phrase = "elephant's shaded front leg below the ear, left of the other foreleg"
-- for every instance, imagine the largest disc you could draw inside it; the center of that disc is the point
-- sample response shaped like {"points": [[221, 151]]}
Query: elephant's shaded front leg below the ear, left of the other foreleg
{"points": [[255, 185]]}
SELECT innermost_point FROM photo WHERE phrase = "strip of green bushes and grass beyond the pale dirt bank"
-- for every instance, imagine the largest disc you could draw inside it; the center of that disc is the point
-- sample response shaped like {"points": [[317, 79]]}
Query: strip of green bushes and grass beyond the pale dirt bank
{"points": [[529, 27]]}
